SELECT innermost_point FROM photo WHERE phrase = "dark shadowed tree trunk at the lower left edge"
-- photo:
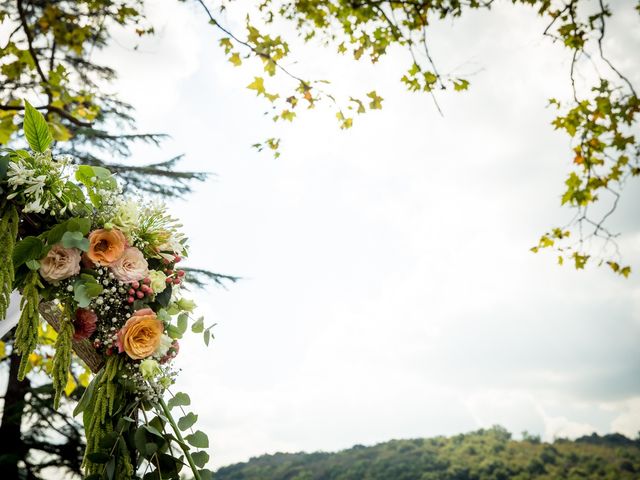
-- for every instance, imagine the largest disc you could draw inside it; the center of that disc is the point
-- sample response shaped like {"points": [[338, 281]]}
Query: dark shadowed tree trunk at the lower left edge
{"points": [[12, 449]]}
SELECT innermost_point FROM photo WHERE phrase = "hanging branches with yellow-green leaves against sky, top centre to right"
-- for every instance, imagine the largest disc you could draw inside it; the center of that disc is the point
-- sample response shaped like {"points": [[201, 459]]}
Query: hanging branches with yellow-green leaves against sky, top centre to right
{"points": [[601, 117]]}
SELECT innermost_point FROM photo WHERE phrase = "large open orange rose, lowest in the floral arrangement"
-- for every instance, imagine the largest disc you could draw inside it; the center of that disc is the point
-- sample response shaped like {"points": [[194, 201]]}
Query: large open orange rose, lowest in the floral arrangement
{"points": [[141, 335]]}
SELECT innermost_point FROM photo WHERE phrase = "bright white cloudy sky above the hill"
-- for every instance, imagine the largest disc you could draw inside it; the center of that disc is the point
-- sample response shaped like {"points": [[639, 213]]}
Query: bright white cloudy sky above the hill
{"points": [[388, 290]]}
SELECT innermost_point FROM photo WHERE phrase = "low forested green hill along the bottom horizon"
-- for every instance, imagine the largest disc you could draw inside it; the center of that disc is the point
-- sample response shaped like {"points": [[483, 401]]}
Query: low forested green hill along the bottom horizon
{"points": [[483, 455]]}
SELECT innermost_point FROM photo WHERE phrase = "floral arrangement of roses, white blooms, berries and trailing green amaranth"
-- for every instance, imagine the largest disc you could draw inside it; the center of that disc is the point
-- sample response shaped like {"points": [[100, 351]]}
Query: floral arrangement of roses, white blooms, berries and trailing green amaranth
{"points": [[107, 265]]}
